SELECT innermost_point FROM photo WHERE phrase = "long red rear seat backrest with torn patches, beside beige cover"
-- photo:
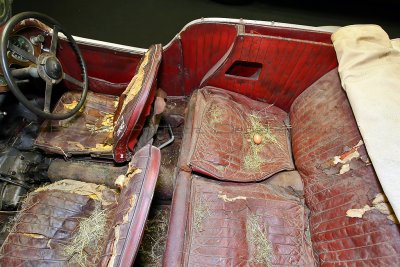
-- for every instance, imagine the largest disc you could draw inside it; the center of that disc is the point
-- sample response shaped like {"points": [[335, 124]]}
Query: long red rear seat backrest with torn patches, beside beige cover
{"points": [[323, 127]]}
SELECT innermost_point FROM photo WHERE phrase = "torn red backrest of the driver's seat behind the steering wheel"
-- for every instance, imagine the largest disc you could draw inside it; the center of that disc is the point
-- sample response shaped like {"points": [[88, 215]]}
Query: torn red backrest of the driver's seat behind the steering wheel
{"points": [[135, 104]]}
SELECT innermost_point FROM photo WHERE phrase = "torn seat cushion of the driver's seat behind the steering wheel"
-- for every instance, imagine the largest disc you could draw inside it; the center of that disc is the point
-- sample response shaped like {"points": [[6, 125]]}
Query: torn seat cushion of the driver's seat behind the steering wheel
{"points": [[88, 132]]}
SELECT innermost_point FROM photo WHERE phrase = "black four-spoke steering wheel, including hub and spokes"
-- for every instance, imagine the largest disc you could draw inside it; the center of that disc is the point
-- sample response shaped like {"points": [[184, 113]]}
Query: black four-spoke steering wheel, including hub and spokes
{"points": [[46, 66]]}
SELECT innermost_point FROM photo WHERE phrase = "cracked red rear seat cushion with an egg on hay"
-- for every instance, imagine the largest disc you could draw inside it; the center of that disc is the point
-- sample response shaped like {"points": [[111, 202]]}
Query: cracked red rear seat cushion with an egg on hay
{"points": [[221, 136]]}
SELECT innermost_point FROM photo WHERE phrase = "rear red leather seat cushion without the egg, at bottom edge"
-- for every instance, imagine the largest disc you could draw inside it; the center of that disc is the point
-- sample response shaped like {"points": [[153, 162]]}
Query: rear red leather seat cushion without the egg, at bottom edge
{"points": [[236, 224]]}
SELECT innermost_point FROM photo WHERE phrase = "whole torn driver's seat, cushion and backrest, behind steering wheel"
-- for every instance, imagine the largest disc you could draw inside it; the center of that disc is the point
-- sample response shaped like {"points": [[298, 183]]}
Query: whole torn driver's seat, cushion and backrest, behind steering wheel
{"points": [[107, 125]]}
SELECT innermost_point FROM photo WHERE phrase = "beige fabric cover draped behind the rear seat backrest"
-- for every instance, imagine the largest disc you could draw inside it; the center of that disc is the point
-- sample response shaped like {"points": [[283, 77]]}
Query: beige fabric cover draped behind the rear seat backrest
{"points": [[369, 68]]}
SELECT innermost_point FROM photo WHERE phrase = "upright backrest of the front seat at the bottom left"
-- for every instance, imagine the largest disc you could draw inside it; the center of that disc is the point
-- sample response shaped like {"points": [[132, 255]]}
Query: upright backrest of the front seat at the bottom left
{"points": [[132, 209]]}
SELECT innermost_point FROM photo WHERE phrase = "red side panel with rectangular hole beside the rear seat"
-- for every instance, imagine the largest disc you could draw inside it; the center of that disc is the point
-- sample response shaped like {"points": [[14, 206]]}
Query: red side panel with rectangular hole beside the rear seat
{"points": [[289, 66]]}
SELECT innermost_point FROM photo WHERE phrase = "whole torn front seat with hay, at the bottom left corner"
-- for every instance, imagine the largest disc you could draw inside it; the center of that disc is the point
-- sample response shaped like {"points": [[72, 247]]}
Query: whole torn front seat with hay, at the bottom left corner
{"points": [[72, 223]]}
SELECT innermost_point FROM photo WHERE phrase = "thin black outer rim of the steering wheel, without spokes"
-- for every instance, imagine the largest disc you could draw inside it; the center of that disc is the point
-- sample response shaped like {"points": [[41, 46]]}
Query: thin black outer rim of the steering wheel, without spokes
{"points": [[52, 23]]}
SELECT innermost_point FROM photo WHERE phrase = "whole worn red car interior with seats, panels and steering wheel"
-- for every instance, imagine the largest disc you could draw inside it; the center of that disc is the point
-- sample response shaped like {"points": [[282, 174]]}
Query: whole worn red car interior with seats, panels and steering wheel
{"points": [[238, 133]]}
